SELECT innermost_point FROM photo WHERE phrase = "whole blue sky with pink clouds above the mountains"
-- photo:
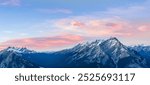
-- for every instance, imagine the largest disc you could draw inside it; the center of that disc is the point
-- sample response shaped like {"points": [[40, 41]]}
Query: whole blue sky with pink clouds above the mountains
{"points": [[46, 25]]}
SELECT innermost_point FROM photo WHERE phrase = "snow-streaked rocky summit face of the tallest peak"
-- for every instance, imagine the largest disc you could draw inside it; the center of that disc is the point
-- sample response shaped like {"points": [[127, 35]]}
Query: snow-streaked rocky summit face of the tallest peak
{"points": [[115, 49]]}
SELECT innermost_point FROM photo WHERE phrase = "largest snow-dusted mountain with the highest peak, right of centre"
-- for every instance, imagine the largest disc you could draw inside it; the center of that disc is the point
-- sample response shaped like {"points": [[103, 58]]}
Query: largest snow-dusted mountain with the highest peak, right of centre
{"points": [[107, 53]]}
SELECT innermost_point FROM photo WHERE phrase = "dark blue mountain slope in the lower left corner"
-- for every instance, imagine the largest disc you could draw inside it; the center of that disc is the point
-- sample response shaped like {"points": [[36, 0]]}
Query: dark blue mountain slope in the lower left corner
{"points": [[10, 59]]}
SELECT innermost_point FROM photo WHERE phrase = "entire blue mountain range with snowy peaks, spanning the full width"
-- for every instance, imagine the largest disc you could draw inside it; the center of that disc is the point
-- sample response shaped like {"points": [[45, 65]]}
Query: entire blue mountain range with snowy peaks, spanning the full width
{"points": [[110, 53]]}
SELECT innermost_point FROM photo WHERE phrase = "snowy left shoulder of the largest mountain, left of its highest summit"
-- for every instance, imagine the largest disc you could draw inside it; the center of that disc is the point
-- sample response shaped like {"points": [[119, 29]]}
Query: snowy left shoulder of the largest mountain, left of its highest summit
{"points": [[87, 53]]}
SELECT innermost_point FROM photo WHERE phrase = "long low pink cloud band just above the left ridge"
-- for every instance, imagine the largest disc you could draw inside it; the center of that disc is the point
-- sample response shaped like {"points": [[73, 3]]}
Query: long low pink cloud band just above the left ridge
{"points": [[44, 43]]}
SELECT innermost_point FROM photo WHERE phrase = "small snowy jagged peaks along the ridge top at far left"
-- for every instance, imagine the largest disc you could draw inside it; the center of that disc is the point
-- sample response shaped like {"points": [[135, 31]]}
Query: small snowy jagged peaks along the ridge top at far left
{"points": [[19, 50]]}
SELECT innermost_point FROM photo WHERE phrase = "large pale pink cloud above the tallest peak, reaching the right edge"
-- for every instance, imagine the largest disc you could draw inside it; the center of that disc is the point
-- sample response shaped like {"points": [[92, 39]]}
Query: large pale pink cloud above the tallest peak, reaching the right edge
{"points": [[96, 27]]}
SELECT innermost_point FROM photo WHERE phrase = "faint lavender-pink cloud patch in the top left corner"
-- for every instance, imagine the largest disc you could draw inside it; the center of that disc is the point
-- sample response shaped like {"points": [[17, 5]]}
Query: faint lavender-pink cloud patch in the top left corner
{"points": [[10, 2]]}
